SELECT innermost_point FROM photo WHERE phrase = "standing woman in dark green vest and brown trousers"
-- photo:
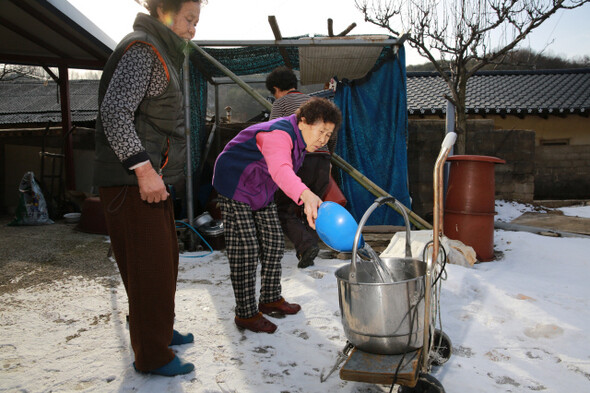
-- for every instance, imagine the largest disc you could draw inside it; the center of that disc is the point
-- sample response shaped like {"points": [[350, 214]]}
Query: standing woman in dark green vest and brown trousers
{"points": [[140, 150]]}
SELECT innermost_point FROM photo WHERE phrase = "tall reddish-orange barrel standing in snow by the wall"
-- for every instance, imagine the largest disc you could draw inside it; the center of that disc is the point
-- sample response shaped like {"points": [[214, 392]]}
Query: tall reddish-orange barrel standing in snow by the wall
{"points": [[470, 203]]}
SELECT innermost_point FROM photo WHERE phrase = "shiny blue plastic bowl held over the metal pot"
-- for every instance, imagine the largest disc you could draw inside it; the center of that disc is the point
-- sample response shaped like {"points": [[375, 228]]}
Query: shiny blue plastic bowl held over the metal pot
{"points": [[336, 227]]}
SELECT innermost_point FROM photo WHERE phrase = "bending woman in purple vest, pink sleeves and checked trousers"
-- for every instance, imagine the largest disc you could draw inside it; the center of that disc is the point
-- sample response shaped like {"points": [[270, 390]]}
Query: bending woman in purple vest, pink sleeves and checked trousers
{"points": [[251, 167]]}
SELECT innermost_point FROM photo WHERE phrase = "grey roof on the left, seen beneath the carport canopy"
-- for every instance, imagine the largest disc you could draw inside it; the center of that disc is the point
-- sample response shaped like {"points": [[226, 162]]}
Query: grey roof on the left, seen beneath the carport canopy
{"points": [[30, 101]]}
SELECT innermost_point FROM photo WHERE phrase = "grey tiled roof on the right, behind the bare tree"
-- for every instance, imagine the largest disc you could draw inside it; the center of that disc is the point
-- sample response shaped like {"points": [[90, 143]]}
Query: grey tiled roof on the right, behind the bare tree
{"points": [[506, 92]]}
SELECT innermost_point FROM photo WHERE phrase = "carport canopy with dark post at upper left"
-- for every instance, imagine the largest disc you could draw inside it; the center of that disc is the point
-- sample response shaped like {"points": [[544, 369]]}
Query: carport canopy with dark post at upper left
{"points": [[53, 33]]}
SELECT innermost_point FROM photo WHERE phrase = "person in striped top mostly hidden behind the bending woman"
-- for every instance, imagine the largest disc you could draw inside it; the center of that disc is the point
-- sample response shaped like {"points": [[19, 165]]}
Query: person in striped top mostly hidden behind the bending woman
{"points": [[315, 171]]}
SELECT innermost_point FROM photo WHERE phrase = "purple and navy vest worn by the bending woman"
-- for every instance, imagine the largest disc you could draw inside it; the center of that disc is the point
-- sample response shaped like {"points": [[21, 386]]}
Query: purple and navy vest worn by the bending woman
{"points": [[240, 170]]}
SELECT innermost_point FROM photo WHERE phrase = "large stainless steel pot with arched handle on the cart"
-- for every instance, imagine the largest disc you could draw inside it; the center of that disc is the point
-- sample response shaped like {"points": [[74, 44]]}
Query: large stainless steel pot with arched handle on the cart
{"points": [[383, 317]]}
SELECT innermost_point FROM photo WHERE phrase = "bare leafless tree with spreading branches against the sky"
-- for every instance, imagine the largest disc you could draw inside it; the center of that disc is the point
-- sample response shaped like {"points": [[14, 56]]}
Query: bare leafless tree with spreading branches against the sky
{"points": [[459, 37]]}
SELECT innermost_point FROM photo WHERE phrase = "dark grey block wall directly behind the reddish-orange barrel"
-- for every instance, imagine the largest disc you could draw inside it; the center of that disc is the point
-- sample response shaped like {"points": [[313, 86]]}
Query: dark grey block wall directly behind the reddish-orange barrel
{"points": [[513, 180]]}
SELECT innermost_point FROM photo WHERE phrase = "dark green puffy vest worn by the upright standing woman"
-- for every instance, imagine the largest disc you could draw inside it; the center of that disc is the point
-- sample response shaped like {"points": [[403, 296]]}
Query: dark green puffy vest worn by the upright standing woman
{"points": [[159, 121]]}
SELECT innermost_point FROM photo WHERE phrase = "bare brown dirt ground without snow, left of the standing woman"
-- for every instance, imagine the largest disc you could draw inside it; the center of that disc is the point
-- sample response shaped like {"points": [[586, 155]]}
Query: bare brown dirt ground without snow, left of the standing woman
{"points": [[36, 255]]}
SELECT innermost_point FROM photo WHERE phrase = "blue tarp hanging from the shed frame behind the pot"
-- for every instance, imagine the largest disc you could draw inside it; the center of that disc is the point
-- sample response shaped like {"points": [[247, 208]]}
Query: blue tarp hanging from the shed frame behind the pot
{"points": [[373, 137]]}
